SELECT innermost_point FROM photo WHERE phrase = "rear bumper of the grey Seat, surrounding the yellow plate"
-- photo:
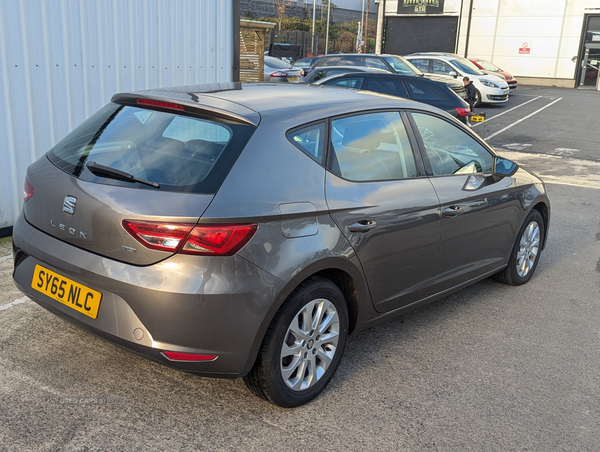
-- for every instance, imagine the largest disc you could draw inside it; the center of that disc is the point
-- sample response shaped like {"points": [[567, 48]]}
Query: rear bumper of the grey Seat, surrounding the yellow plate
{"points": [[185, 304]]}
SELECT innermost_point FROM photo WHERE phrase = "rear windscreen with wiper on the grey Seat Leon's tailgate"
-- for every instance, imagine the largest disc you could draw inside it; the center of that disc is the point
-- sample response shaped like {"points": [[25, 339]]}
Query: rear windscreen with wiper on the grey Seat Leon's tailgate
{"points": [[177, 152]]}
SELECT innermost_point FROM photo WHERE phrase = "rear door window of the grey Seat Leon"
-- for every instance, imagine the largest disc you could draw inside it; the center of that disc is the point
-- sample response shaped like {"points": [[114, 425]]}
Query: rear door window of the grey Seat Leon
{"points": [[371, 147]]}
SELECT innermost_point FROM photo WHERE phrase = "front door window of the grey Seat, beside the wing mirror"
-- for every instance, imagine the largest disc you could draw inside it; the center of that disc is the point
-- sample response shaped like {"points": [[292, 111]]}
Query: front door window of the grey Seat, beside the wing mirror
{"points": [[451, 150]]}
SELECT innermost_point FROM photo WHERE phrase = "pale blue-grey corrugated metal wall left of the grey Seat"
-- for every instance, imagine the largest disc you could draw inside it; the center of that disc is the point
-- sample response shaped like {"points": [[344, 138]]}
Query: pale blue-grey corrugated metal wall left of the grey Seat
{"points": [[61, 60]]}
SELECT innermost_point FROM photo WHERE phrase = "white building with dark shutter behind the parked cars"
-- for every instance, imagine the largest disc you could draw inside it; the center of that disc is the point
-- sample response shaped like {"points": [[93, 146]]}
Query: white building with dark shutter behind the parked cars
{"points": [[542, 42]]}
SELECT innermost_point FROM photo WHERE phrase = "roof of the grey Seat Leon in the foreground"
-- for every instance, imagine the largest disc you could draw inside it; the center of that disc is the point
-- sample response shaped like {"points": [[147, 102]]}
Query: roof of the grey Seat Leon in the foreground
{"points": [[248, 102]]}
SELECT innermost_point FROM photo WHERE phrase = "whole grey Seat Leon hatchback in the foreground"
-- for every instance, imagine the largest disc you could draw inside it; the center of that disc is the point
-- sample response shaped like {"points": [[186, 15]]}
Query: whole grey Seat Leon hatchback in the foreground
{"points": [[219, 232]]}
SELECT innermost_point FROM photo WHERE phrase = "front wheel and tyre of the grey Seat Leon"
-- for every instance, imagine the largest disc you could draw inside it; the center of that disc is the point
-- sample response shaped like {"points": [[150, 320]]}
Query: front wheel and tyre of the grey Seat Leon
{"points": [[526, 251]]}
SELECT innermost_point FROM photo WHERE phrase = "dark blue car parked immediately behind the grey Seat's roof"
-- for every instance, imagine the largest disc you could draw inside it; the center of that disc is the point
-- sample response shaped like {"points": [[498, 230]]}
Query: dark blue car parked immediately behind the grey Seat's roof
{"points": [[432, 92]]}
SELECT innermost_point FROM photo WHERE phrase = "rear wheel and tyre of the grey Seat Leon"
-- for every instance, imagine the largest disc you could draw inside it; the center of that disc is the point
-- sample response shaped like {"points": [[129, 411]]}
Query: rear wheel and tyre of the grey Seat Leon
{"points": [[303, 345]]}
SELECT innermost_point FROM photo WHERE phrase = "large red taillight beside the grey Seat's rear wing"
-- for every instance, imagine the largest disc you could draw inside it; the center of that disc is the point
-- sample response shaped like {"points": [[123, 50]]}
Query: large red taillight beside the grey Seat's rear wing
{"points": [[205, 240]]}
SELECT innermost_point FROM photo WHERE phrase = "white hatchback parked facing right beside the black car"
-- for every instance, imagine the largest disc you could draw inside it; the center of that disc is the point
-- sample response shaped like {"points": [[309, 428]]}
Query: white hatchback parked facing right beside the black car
{"points": [[490, 88]]}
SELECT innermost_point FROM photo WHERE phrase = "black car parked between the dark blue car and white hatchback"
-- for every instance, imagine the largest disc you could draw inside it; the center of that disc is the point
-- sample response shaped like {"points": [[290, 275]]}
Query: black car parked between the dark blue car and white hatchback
{"points": [[392, 63]]}
